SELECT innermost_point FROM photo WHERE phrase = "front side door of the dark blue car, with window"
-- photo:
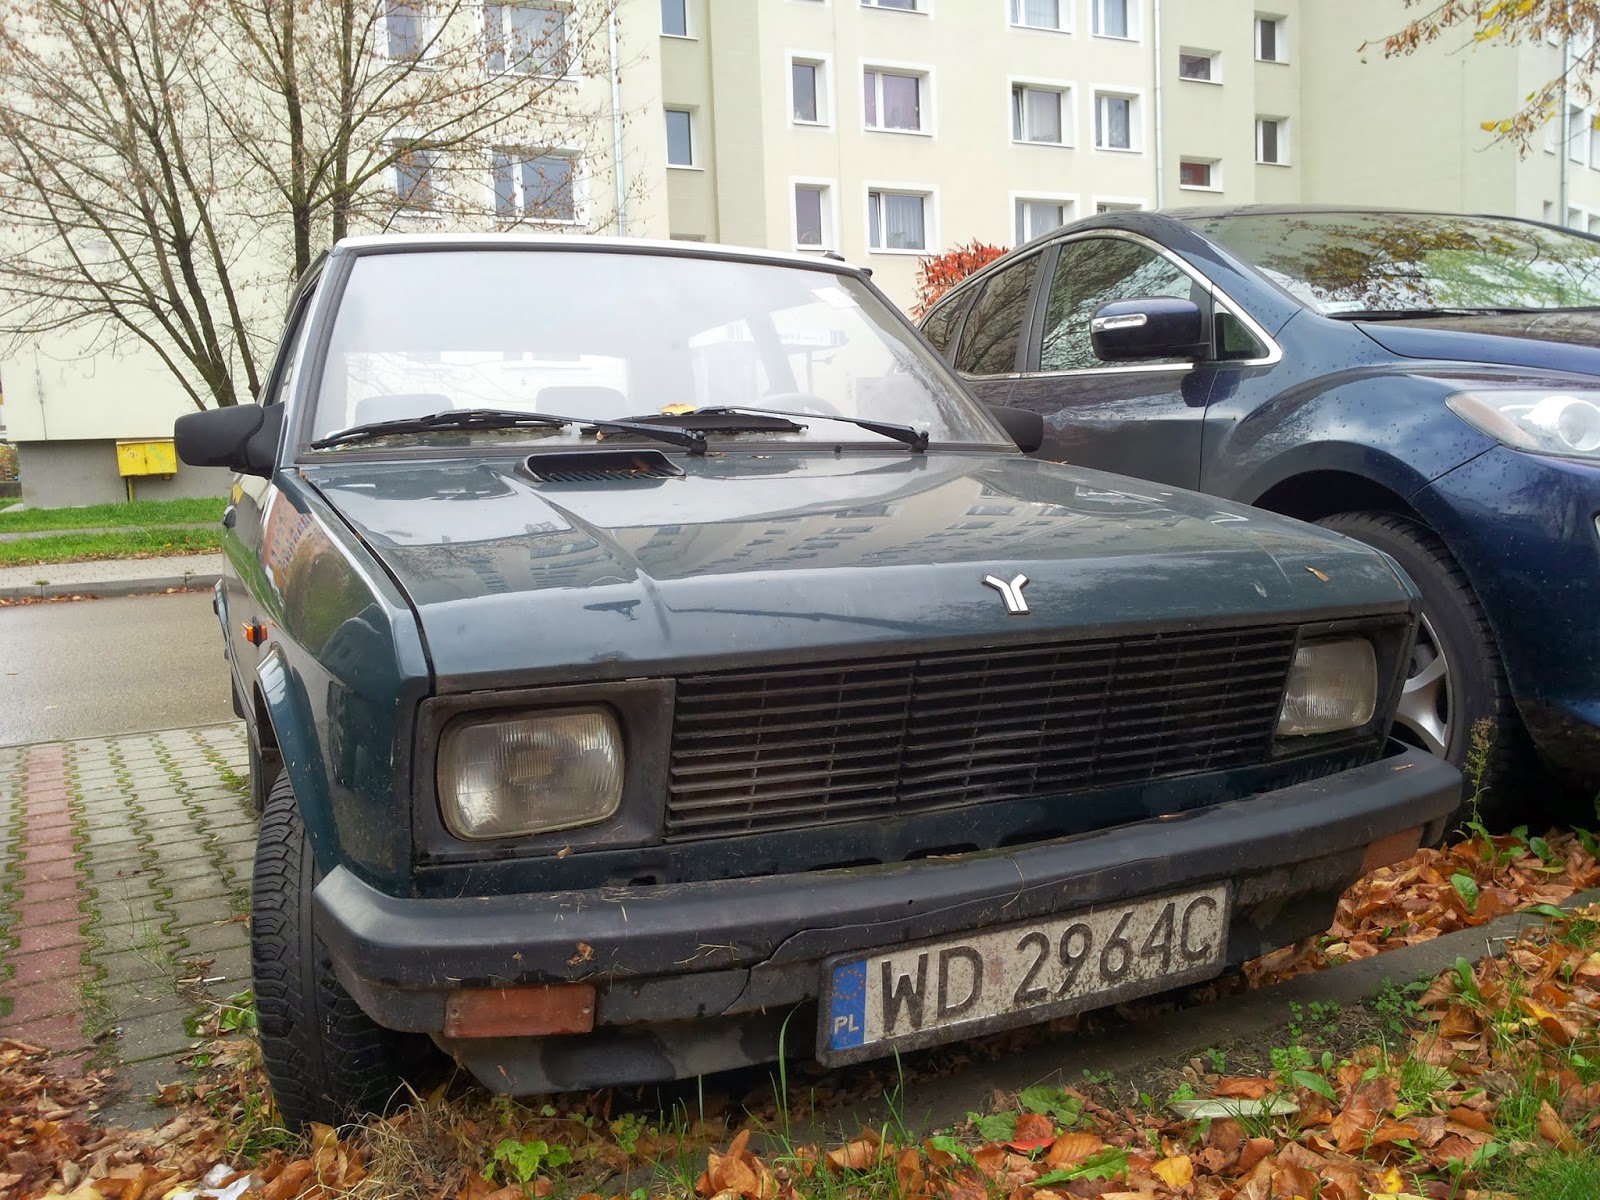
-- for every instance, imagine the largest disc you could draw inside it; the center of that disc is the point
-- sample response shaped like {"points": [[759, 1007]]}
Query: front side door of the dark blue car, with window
{"points": [[1140, 418]]}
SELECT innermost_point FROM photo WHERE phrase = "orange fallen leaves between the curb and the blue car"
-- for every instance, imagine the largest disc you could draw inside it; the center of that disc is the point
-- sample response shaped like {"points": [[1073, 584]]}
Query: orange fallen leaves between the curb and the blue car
{"points": [[1438, 892]]}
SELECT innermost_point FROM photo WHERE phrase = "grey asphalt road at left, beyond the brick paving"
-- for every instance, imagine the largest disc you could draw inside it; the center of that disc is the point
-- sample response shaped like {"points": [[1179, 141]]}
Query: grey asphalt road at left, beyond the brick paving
{"points": [[97, 668]]}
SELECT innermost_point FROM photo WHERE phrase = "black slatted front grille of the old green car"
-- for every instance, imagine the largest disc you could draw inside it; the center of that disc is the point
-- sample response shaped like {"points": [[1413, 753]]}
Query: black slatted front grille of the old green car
{"points": [[825, 743]]}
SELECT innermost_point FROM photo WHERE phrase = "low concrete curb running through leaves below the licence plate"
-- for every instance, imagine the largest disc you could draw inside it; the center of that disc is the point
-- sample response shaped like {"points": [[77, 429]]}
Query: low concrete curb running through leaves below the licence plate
{"points": [[1180, 1036]]}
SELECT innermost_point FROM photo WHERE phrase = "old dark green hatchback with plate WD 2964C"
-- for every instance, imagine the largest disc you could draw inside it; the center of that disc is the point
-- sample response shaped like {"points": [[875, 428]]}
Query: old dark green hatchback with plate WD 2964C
{"points": [[655, 660]]}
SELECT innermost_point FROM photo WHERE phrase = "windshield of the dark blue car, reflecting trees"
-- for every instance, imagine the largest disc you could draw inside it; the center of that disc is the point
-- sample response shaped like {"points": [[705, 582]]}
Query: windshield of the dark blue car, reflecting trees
{"points": [[1414, 263]]}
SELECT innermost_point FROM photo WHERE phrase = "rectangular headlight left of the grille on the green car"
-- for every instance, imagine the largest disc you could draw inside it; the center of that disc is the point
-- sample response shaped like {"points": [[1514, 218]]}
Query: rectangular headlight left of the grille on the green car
{"points": [[530, 774]]}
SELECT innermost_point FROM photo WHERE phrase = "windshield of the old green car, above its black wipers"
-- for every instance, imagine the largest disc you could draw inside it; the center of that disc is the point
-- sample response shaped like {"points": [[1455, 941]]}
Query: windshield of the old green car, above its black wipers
{"points": [[602, 335]]}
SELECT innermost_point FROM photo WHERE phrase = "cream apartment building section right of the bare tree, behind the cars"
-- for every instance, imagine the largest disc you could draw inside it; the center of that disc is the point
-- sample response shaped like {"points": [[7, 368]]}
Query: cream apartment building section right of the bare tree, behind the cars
{"points": [[887, 130]]}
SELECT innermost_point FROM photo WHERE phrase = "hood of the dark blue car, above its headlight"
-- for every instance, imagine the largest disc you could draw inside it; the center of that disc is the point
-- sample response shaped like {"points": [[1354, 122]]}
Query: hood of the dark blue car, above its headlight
{"points": [[1561, 342]]}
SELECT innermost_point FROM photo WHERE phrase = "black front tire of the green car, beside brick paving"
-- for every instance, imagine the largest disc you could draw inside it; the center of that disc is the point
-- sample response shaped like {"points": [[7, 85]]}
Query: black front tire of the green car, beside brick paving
{"points": [[326, 1058]]}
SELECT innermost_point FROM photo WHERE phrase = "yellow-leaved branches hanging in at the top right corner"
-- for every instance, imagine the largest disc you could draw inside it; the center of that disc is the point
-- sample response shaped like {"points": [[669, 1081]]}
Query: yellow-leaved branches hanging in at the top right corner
{"points": [[1510, 23]]}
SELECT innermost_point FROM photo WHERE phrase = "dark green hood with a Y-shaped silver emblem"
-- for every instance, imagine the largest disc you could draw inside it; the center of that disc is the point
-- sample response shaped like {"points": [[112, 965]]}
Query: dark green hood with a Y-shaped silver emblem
{"points": [[764, 558]]}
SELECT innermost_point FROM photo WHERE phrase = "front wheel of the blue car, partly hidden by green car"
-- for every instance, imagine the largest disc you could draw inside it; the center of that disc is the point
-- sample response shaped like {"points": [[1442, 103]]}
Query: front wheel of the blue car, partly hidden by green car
{"points": [[1455, 679]]}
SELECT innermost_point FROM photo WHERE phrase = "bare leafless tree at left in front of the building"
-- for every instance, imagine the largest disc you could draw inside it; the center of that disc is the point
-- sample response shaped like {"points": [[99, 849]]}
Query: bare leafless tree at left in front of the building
{"points": [[167, 170]]}
